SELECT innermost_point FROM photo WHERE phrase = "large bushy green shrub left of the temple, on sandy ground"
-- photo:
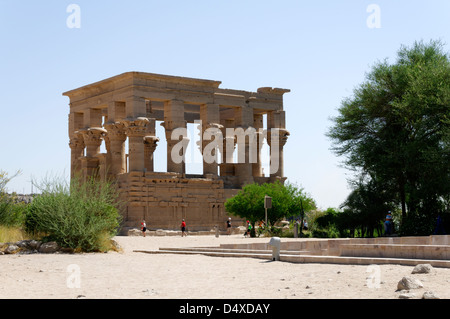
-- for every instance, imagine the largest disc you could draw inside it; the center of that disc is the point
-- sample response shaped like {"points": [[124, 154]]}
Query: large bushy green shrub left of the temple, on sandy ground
{"points": [[76, 216]]}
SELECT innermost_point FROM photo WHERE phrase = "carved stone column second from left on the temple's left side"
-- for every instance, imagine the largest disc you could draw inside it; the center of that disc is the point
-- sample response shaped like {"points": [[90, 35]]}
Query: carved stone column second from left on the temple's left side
{"points": [[92, 139]]}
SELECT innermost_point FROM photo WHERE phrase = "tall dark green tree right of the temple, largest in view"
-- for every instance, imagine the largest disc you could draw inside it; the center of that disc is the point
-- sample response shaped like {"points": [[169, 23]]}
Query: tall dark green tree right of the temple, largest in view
{"points": [[395, 128]]}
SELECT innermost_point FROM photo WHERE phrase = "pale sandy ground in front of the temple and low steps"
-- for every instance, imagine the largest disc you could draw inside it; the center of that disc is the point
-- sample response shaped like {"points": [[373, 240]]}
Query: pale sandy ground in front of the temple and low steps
{"points": [[134, 275]]}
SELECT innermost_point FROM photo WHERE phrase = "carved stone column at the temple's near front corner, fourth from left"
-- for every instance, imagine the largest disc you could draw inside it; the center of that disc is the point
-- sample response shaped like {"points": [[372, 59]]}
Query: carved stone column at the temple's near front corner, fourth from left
{"points": [[135, 130]]}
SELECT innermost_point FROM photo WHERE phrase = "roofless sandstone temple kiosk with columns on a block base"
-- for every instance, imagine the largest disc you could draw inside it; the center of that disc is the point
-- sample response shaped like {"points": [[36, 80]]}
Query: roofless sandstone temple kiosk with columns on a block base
{"points": [[122, 112]]}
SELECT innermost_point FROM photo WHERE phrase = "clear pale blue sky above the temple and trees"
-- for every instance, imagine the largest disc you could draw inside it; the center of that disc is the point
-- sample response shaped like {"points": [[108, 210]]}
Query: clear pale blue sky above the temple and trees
{"points": [[319, 49]]}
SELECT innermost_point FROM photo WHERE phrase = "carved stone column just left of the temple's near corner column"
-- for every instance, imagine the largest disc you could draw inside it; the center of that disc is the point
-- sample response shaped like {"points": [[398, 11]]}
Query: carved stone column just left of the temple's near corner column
{"points": [[116, 152]]}
